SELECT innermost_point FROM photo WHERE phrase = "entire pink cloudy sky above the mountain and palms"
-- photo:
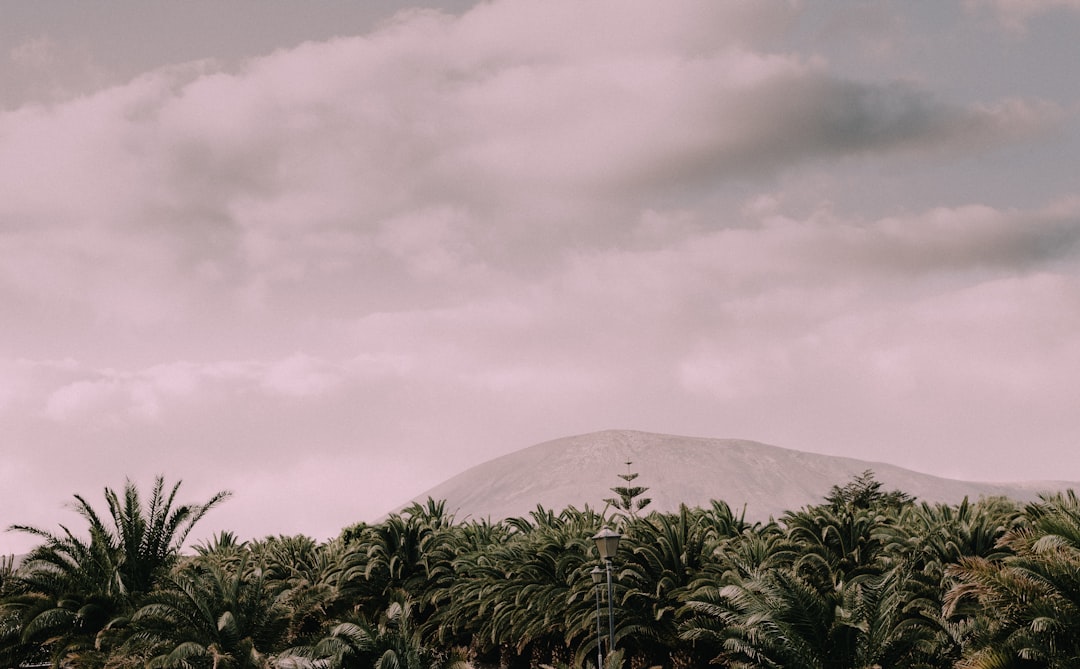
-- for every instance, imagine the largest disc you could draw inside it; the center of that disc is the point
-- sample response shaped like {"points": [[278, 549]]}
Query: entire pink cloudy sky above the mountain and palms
{"points": [[328, 256]]}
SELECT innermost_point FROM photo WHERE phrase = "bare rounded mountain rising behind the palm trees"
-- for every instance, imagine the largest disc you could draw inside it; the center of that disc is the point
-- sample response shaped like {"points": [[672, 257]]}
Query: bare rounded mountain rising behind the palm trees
{"points": [[767, 480]]}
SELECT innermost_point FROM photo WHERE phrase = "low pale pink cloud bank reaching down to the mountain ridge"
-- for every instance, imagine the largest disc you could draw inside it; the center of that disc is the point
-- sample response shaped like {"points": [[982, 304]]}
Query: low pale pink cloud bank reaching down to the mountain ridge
{"points": [[903, 320]]}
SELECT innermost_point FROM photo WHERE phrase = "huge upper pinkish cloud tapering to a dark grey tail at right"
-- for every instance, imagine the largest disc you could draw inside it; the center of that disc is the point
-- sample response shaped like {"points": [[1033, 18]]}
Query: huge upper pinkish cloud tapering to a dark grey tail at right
{"points": [[430, 156]]}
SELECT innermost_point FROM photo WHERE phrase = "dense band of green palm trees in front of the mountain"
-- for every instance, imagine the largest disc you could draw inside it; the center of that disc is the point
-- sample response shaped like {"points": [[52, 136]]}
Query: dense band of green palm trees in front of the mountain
{"points": [[867, 579]]}
